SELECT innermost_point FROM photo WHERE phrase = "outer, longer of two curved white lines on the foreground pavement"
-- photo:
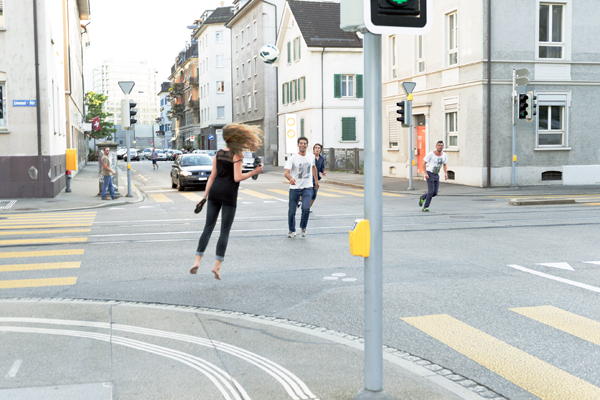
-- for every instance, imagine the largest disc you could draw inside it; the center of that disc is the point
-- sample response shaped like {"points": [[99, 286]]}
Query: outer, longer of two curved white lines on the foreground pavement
{"points": [[295, 387]]}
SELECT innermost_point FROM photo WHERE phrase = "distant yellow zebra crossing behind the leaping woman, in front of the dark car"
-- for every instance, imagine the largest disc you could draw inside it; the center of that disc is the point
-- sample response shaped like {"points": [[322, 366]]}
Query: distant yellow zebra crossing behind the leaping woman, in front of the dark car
{"points": [[247, 196]]}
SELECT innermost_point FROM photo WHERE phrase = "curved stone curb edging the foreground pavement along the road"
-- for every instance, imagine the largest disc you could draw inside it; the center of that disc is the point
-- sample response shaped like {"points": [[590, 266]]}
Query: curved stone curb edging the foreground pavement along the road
{"points": [[436, 374]]}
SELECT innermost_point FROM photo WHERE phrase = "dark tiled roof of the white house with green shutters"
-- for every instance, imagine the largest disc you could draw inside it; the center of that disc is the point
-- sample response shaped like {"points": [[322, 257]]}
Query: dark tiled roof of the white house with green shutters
{"points": [[324, 30]]}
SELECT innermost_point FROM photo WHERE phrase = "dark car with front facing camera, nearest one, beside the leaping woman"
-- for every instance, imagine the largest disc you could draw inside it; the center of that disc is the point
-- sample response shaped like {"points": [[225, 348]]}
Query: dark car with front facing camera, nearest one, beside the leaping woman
{"points": [[190, 170]]}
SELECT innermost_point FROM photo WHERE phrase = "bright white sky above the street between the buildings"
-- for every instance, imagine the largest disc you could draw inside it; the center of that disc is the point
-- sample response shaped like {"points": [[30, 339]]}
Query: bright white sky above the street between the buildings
{"points": [[138, 30]]}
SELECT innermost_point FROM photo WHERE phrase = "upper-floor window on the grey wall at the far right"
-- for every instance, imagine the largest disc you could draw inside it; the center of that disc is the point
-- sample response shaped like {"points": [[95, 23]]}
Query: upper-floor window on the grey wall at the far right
{"points": [[551, 42]]}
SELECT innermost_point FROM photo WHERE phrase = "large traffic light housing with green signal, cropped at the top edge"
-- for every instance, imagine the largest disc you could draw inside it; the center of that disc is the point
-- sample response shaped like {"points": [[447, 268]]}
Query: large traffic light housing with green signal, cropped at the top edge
{"points": [[397, 16]]}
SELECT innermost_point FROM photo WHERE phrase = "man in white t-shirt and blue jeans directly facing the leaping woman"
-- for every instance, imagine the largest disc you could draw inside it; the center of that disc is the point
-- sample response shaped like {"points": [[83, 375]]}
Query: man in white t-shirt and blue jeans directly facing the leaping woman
{"points": [[300, 170]]}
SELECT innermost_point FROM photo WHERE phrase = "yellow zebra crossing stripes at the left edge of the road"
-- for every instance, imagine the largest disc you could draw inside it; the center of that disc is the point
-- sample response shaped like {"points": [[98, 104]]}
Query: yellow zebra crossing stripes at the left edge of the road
{"points": [[18, 269]]}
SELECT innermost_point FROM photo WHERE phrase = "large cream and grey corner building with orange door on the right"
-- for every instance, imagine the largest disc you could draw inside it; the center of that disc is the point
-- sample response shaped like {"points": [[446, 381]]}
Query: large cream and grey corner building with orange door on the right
{"points": [[455, 100]]}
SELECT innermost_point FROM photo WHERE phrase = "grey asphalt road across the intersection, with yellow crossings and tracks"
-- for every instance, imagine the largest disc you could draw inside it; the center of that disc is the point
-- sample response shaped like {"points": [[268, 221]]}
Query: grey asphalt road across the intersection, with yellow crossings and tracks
{"points": [[504, 295]]}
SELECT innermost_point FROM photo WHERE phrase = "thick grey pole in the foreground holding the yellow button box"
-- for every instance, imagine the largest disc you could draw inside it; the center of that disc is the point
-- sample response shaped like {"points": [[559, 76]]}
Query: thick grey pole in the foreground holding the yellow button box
{"points": [[373, 368]]}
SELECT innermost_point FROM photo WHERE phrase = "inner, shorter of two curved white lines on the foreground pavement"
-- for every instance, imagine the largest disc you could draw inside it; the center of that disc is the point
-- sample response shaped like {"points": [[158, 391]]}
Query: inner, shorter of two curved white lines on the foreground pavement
{"points": [[216, 375]]}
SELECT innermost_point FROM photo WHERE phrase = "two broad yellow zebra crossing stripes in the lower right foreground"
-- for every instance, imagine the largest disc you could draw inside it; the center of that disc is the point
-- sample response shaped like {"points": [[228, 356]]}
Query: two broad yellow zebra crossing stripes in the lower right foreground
{"points": [[532, 374]]}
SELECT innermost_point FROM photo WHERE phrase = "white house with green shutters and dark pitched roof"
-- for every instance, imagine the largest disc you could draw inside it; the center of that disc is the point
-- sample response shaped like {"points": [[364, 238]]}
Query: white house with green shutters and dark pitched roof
{"points": [[320, 75]]}
